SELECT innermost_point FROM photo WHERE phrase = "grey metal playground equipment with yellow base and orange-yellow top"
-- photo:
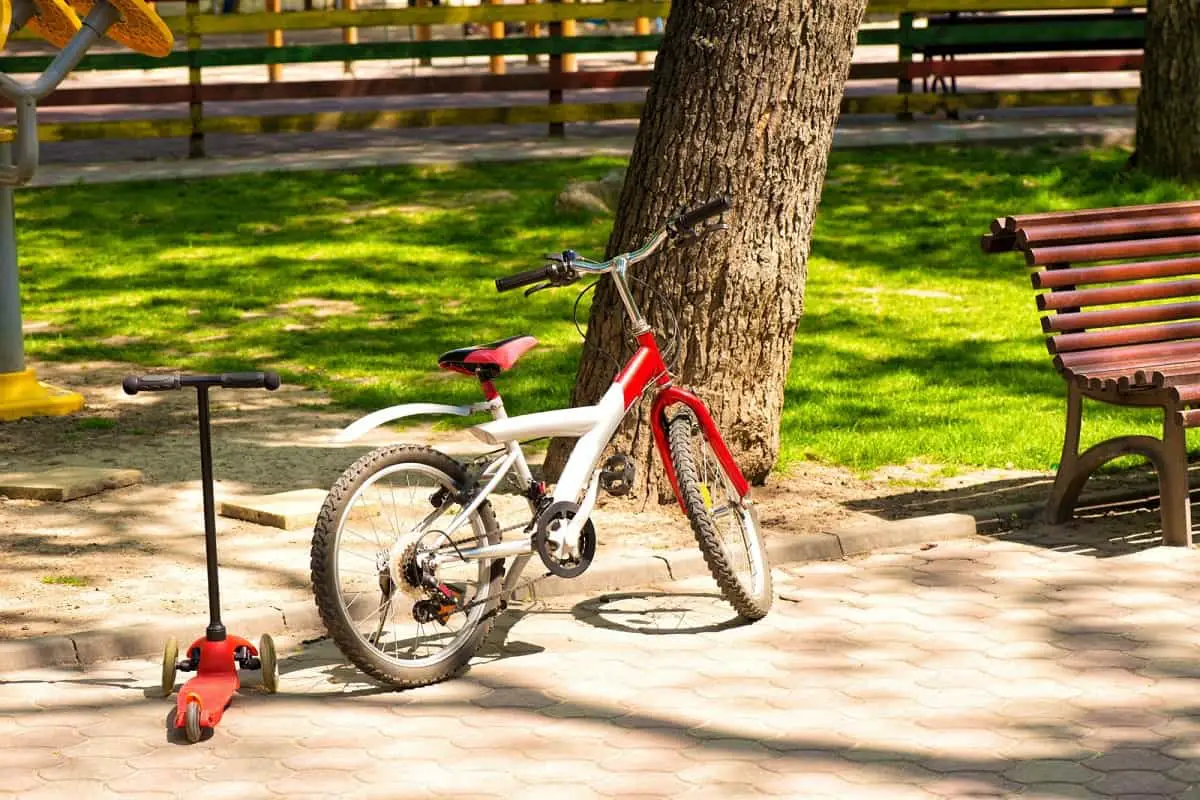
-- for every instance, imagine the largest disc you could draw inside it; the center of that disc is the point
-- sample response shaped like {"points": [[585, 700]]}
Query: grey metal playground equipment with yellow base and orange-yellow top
{"points": [[130, 22]]}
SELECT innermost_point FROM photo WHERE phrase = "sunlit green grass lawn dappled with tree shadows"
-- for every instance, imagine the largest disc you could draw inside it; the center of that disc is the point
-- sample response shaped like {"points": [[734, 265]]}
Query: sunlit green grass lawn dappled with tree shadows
{"points": [[915, 346]]}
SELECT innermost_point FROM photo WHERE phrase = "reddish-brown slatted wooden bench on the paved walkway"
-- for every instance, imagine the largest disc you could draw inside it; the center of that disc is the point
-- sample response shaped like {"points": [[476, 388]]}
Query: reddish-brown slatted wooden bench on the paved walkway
{"points": [[1123, 293]]}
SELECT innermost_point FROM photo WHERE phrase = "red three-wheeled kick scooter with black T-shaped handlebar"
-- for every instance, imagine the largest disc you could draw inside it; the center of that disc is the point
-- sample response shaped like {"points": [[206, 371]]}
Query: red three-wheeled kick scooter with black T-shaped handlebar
{"points": [[215, 659]]}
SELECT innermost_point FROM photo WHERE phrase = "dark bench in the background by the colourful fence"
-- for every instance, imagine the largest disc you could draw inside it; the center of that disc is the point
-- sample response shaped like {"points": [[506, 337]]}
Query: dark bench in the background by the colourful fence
{"points": [[953, 34]]}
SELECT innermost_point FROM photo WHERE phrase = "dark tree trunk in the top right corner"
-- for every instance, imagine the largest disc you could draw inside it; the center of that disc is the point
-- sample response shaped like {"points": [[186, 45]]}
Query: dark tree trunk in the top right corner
{"points": [[1168, 121]]}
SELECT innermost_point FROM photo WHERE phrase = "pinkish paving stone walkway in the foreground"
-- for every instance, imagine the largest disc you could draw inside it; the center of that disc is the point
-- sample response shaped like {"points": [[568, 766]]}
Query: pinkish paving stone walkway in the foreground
{"points": [[973, 669]]}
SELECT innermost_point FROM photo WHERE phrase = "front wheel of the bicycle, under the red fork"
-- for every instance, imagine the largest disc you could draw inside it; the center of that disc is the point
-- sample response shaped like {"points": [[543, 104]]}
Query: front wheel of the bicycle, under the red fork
{"points": [[728, 532]]}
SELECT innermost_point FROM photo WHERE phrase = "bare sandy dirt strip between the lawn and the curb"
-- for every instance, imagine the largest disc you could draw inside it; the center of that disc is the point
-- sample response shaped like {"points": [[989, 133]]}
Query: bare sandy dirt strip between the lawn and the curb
{"points": [[131, 555]]}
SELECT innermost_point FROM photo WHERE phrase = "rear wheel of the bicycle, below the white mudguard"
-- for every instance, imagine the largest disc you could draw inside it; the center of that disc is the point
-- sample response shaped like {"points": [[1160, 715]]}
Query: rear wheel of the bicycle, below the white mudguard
{"points": [[393, 594]]}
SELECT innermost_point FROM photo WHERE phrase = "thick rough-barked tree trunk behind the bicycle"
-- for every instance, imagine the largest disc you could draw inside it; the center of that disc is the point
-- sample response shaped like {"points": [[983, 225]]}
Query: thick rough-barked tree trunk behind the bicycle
{"points": [[743, 103]]}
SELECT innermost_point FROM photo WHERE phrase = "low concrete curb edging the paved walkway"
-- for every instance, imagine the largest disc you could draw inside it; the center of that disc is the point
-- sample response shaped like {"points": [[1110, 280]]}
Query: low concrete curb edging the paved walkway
{"points": [[295, 621]]}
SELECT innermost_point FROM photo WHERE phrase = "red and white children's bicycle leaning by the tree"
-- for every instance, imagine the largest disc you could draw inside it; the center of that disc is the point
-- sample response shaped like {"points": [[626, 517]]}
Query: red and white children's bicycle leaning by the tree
{"points": [[407, 556]]}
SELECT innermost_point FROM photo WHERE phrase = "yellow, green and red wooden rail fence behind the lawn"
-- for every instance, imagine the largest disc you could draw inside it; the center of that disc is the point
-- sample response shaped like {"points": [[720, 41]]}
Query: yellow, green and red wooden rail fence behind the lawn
{"points": [[1077, 44]]}
